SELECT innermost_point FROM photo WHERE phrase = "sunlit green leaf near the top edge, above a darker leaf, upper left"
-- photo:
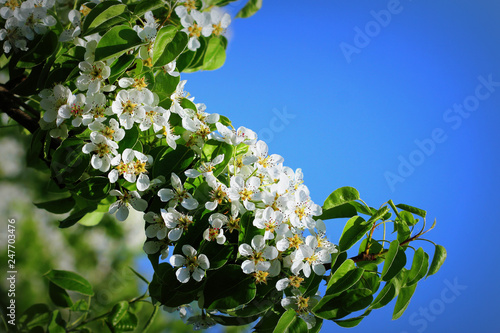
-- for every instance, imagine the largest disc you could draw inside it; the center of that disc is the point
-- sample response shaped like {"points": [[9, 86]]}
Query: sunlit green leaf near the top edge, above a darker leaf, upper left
{"points": [[103, 16]]}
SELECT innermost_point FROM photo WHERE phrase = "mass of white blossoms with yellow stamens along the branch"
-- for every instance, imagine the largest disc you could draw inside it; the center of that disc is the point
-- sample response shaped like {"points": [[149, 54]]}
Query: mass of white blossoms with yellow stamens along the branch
{"points": [[123, 120]]}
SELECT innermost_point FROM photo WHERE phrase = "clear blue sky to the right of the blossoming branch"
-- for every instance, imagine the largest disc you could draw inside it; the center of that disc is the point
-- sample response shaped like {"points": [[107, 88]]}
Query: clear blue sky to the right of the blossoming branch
{"points": [[353, 120]]}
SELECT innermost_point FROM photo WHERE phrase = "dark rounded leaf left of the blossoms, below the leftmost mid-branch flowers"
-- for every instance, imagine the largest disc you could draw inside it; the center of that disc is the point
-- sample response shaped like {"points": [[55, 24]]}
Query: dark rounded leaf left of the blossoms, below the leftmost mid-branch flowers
{"points": [[69, 162]]}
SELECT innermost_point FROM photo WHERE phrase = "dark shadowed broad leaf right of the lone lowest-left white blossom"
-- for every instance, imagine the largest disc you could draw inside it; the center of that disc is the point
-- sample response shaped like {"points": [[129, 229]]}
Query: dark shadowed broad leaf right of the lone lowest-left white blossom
{"points": [[227, 288]]}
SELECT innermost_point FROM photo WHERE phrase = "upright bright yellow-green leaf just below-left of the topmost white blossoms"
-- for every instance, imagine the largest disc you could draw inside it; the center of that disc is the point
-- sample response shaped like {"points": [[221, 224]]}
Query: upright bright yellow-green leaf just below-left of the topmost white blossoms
{"points": [[169, 45]]}
